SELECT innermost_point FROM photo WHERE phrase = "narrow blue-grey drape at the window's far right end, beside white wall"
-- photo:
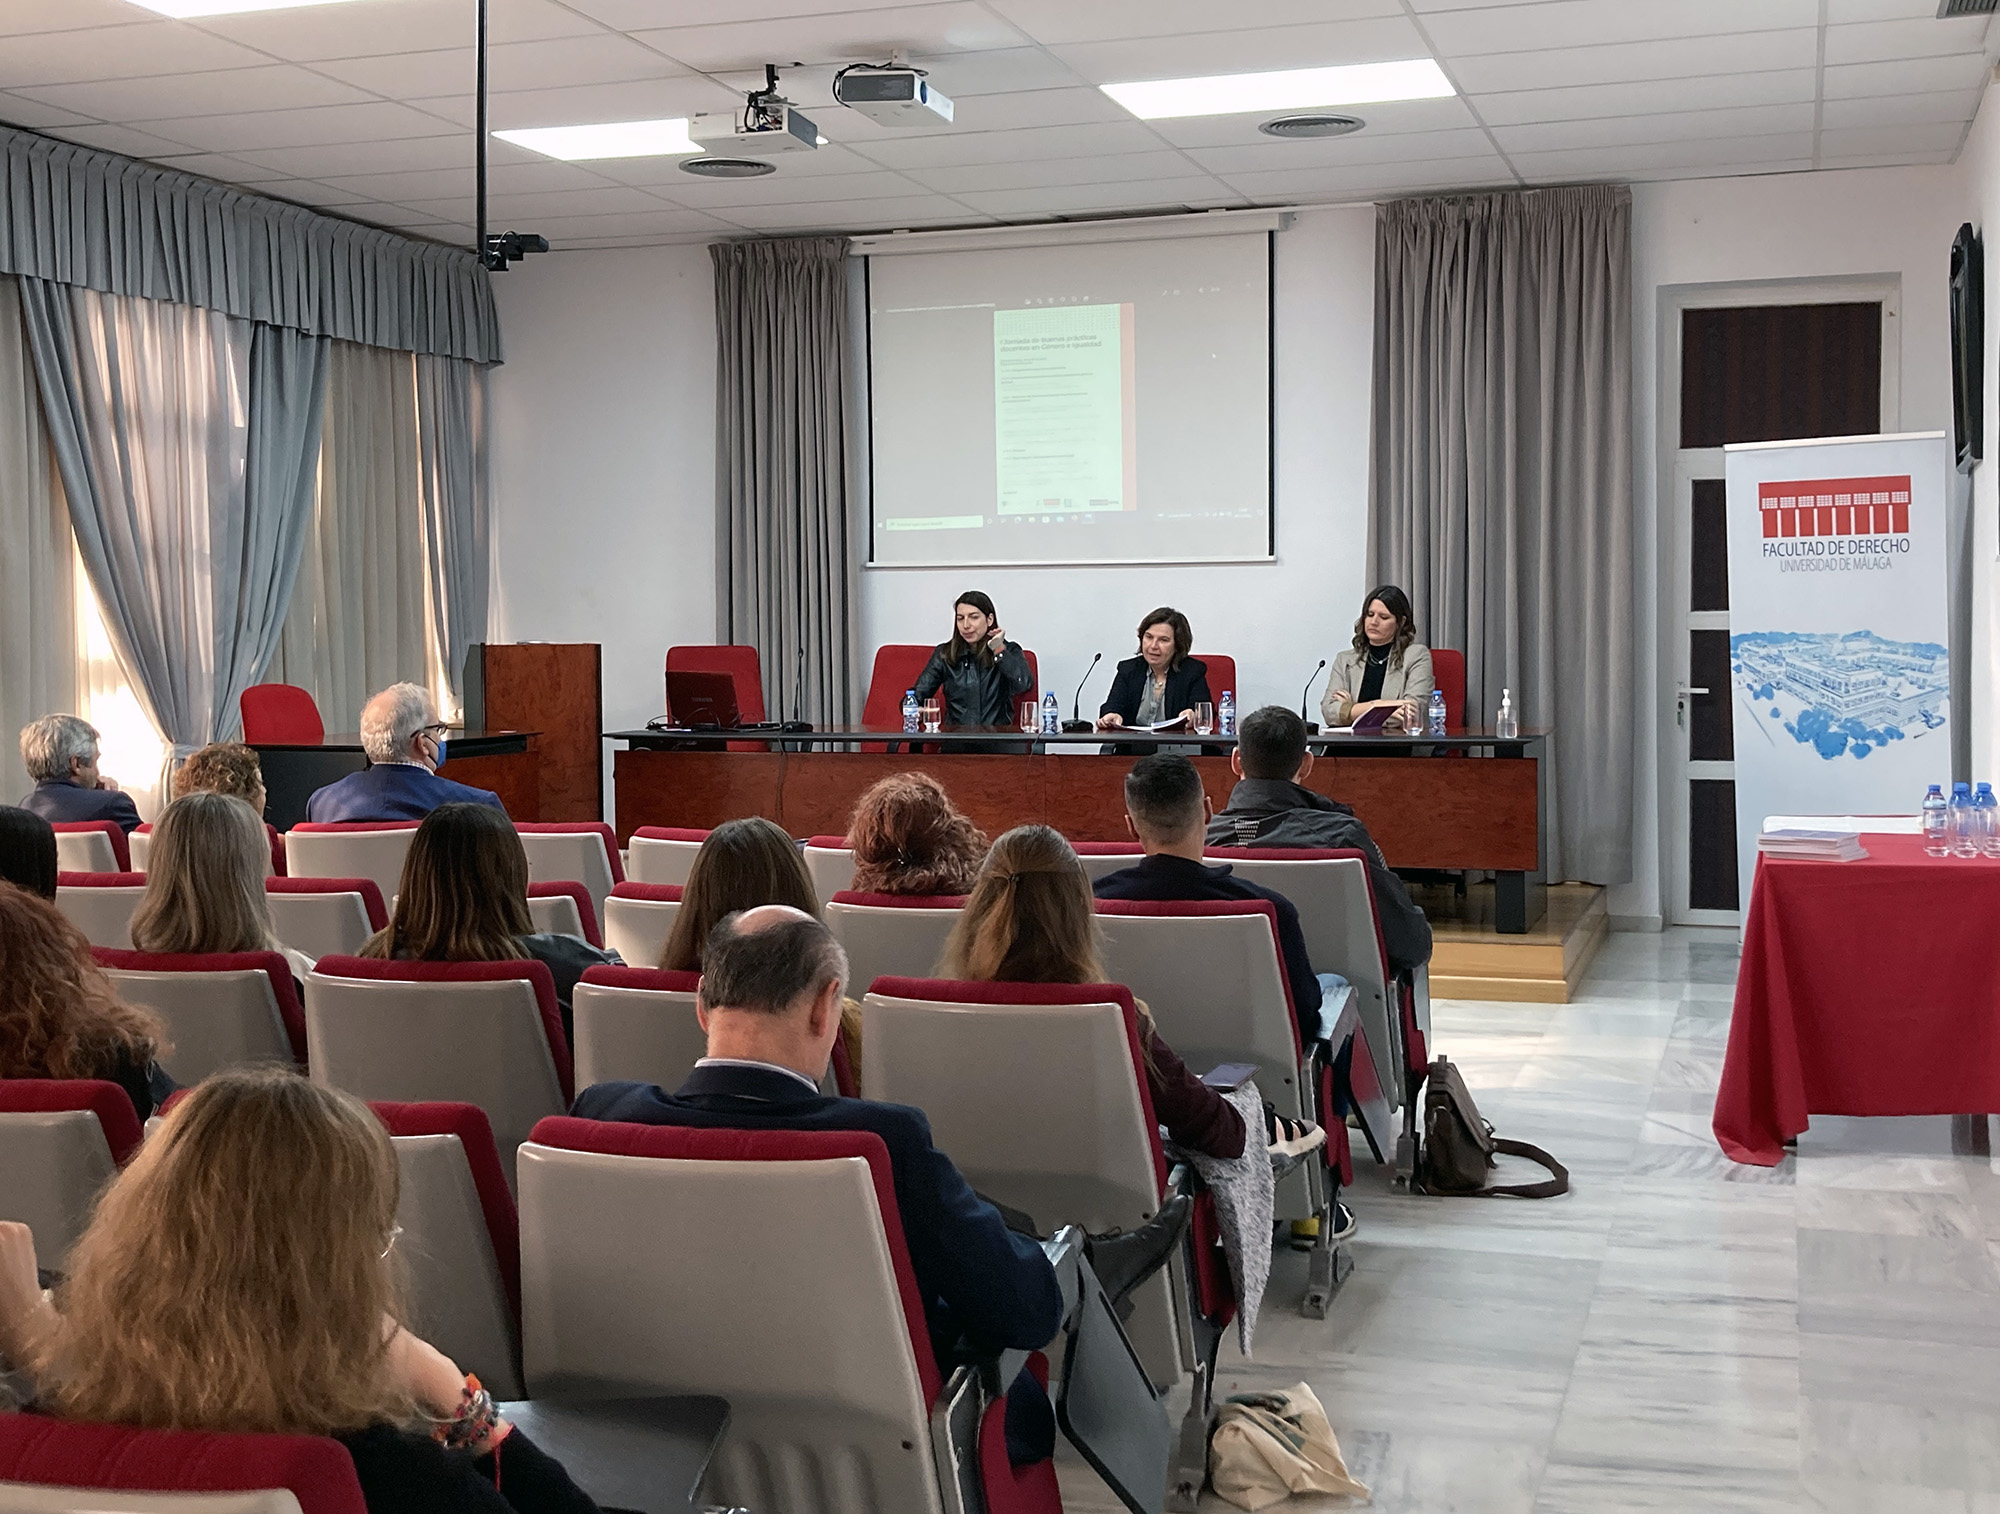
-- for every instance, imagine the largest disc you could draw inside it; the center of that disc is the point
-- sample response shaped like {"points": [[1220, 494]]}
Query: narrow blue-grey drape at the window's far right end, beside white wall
{"points": [[451, 425]]}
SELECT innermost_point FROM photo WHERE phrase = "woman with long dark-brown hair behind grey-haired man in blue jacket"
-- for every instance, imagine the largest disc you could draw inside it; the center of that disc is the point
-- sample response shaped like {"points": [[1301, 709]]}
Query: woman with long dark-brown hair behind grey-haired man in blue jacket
{"points": [[465, 899]]}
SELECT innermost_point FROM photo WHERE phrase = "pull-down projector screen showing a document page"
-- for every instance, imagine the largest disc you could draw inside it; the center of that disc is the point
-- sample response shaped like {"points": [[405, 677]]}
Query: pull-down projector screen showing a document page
{"points": [[1097, 403]]}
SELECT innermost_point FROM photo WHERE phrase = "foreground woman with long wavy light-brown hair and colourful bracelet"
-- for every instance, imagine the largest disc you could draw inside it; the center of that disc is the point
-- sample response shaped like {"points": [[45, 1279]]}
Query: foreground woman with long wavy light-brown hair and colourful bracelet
{"points": [[241, 1277]]}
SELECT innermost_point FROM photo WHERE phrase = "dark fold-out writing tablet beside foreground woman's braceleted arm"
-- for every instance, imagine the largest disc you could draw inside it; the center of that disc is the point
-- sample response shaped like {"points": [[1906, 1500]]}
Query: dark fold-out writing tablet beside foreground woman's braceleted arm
{"points": [[629, 1453]]}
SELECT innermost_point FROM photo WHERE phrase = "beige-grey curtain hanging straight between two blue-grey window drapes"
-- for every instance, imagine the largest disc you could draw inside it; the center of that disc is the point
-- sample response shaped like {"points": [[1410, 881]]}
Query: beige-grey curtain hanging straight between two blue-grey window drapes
{"points": [[357, 619]]}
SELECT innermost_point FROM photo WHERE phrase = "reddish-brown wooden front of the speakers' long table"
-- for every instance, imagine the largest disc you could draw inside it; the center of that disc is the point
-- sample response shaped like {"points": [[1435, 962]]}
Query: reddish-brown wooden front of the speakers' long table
{"points": [[1425, 813]]}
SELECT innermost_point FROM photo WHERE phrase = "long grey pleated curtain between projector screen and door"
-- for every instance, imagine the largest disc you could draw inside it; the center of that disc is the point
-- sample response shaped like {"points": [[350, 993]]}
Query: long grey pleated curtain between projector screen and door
{"points": [[1501, 477]]}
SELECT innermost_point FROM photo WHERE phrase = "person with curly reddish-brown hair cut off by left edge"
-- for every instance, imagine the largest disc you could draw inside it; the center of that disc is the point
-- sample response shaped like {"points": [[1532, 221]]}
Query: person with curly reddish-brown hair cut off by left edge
{"points": [[61, 1015]]}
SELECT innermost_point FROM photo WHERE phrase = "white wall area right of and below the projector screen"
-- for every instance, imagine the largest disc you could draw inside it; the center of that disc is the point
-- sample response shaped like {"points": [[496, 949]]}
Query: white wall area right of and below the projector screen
{"points": [[1277, 619]]}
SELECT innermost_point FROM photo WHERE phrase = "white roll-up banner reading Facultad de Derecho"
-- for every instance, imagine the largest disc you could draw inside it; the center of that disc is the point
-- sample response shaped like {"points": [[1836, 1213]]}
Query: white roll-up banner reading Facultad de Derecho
{"points": [[1839, 629]]}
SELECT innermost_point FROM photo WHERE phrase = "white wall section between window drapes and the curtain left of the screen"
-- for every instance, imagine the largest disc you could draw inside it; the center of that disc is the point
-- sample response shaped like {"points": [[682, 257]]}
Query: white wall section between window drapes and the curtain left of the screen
{"points": [[605, 463]]}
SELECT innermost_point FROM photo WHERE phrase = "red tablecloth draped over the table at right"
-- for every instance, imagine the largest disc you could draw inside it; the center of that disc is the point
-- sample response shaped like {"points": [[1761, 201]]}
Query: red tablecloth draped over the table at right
{"points": [[1865, 989]]}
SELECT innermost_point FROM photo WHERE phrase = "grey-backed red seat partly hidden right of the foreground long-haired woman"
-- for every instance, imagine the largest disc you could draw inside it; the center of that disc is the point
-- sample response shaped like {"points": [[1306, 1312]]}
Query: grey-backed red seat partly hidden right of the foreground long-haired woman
{"points": [[461, 1239]]}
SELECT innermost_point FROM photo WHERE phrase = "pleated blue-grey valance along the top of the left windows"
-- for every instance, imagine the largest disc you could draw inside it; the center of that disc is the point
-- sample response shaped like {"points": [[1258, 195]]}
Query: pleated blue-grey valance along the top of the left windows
{"points": [[83, 217]]}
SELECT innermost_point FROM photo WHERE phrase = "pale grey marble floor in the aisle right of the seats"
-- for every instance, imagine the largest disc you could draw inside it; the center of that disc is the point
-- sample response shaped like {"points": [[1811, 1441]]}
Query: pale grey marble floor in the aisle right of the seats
{"points": [[1679, 1333]]}
